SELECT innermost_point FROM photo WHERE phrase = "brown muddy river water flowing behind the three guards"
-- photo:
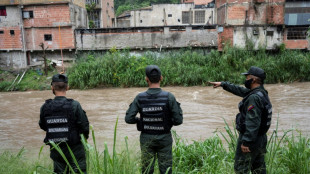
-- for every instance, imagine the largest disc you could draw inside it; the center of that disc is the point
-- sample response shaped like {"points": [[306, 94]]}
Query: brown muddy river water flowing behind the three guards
{"points": [[203, 107]]}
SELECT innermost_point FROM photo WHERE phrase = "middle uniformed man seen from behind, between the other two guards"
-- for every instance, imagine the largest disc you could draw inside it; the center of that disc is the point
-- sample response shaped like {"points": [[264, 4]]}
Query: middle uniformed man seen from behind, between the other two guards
{"points": [[159, 111]]}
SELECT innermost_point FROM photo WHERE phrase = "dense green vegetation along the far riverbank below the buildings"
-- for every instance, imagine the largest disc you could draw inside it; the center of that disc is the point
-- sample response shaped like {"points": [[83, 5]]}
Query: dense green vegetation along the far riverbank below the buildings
{"points": [[186, 67]]}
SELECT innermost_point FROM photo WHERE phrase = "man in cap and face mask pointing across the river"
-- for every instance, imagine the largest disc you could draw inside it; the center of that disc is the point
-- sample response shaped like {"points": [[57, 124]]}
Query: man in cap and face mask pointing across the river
{"points": [[252, 122]]}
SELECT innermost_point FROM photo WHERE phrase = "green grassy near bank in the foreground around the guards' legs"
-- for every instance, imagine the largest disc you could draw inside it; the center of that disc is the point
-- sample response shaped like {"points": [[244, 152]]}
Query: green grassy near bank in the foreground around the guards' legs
{"points": [[286, 154]]}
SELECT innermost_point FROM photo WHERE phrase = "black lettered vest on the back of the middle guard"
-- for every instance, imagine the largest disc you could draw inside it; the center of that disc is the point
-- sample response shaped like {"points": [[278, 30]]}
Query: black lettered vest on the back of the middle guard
{"points": [[155, 117]]}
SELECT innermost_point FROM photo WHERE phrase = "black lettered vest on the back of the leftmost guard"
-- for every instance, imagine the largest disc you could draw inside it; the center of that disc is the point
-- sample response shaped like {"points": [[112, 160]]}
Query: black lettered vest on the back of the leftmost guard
{"points": [[60, 122]]}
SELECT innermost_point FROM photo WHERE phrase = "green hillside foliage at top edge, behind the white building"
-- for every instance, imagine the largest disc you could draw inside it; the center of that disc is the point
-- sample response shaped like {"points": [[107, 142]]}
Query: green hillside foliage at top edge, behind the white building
{"points": [[125, 5]]}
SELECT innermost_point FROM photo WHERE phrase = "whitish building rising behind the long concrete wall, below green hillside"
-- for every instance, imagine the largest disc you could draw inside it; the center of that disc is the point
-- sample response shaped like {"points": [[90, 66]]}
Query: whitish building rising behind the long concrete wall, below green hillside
{"points": [[168, 15]]}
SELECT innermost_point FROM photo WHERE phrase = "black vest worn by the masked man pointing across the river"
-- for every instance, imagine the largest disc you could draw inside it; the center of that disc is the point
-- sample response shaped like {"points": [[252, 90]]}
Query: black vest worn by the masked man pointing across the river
{"points": [[266, 114]]}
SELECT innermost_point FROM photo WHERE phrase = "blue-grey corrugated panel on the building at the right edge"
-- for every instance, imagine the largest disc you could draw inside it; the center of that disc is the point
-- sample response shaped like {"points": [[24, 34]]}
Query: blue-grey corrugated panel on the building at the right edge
{"points": [[297, 19]]}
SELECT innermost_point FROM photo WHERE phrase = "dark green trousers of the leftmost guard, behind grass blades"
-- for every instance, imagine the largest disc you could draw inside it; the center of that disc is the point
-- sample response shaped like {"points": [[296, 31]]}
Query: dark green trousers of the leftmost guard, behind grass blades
{"points": [[60, 166]]}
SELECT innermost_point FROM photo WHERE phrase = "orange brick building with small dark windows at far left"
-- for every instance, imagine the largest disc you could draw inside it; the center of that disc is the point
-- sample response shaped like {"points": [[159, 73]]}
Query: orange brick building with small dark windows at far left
{"points": [[28, 23]]}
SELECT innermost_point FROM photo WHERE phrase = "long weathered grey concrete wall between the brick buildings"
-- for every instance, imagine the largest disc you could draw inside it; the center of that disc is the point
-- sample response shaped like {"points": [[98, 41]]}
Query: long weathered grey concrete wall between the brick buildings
{"points": [[167, 37]]}
